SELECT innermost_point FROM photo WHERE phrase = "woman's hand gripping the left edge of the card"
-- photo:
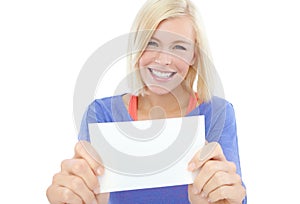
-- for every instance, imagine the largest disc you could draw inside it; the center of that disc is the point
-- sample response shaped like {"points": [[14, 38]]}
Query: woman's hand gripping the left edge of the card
{"points": [[77, 181]]}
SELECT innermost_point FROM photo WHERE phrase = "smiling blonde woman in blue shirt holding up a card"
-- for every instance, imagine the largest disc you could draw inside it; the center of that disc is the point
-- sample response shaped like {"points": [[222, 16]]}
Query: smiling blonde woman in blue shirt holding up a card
{"points": [[171, 57]]}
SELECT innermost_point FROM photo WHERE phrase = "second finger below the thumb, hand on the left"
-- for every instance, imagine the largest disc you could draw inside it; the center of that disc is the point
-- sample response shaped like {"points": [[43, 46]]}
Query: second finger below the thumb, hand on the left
{"points": [[76, 185]]}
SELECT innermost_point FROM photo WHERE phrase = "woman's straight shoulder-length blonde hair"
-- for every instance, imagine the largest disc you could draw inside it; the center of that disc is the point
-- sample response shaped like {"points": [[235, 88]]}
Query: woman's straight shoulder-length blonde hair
{"points": [[147, 20]]}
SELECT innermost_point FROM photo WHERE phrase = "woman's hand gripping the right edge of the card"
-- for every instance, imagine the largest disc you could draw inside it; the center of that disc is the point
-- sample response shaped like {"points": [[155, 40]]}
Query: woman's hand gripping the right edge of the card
{"points": [[217, 181]]}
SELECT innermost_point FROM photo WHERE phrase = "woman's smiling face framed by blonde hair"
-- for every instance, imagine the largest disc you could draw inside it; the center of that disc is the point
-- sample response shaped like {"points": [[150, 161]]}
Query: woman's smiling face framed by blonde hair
{"points": [[168, 56]]}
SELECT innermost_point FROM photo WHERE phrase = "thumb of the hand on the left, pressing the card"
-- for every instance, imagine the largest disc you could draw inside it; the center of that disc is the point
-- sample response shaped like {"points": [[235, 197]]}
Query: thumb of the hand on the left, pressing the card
{"points": [[84, 150]]}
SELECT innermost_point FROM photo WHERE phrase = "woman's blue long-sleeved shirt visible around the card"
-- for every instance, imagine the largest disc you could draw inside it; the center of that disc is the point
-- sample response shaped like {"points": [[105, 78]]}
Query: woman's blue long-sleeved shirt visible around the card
{"points": [[220, 126]]}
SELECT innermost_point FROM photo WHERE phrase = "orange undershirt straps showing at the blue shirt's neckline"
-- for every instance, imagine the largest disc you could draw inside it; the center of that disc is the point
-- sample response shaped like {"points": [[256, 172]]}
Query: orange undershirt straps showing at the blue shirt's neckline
{"points": [[133, 105]]}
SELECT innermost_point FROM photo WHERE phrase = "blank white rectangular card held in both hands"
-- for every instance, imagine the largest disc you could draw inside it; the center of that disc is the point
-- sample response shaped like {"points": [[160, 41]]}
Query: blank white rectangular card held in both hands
{"points": [[147, 154]]}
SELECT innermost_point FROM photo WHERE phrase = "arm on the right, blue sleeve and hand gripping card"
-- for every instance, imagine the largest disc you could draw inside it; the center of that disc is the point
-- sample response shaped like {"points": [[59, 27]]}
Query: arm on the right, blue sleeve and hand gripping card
{"points": [[219, 179]]}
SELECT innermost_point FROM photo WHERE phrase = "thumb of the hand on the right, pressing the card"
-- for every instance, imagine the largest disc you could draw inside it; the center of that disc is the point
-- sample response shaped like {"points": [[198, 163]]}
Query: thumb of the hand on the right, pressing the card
{"points": [[210, 151]]}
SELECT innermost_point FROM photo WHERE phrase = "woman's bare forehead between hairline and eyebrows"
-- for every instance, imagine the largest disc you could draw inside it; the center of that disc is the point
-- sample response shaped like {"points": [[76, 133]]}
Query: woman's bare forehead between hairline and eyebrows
{"points": [[178, 28]]}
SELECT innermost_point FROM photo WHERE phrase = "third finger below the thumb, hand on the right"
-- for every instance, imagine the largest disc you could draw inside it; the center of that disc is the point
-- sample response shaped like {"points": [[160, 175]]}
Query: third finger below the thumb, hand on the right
{"points": [[234, 194]]}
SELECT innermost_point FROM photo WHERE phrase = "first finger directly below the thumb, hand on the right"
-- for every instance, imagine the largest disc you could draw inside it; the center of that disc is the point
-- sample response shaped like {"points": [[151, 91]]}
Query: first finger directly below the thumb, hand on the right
{"points": [[208, 170]]}
